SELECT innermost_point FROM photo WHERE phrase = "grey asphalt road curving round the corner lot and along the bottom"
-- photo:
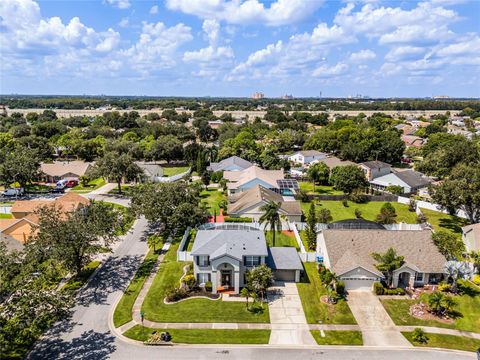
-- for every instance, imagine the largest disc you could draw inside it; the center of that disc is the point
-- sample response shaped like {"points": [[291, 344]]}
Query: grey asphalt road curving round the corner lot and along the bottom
{"points": [[87, 334]]}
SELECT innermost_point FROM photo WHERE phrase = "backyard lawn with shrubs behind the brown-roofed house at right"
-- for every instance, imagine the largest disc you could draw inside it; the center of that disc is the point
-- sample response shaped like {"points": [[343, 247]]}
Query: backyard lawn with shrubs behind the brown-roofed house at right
{"points": [[369, 210]]}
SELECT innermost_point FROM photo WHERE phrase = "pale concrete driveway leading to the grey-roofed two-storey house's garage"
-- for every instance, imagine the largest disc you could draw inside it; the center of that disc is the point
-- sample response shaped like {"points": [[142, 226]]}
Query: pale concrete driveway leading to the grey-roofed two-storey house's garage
{"points": [[288, 323]]}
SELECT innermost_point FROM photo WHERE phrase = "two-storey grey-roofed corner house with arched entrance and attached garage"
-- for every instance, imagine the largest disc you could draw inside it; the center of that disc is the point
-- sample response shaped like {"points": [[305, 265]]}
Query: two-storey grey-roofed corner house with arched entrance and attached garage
{"points": [[224, 256]]}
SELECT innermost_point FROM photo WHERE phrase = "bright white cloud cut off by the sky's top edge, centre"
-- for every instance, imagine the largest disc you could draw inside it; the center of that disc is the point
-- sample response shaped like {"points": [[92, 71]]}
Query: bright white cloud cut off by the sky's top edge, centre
{"points": [[280, 12]]}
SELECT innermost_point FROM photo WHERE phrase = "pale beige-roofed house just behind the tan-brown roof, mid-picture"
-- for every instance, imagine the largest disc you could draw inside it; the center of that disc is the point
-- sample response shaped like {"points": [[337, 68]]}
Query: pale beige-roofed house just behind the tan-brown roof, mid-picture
{"points": [[238, 181]]}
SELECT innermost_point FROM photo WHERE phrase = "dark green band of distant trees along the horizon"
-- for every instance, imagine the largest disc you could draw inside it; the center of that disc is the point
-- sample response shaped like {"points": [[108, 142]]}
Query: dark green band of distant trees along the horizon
{"points": [[138, 103]]}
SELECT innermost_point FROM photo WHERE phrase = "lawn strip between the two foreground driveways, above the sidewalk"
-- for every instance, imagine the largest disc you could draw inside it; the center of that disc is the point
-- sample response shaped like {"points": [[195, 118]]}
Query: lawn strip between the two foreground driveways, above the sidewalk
{"points": [[316, 311]]}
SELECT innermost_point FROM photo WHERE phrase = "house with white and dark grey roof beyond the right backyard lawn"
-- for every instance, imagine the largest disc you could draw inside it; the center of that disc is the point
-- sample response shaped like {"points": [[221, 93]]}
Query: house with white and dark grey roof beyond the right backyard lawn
{"points": [[410, 180]]}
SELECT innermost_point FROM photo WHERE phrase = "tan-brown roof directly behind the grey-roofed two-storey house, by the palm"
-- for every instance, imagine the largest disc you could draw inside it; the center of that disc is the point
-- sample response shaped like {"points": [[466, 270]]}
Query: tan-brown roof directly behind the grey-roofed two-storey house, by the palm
{"points": [[259, 194]]}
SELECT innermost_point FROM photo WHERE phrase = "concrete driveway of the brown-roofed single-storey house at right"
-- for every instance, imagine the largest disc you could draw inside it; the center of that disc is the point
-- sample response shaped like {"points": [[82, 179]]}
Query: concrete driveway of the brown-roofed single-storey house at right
{"points": [[376, 326]]}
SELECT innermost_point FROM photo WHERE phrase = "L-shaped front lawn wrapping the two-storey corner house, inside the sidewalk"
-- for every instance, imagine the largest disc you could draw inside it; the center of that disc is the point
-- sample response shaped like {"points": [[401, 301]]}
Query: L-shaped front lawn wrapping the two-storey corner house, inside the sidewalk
{"points": [[192, 310]]}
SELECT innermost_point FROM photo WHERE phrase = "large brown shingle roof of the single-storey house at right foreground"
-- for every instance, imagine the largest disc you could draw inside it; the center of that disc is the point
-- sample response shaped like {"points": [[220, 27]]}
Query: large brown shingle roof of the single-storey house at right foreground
{"points": [[348, 249]]}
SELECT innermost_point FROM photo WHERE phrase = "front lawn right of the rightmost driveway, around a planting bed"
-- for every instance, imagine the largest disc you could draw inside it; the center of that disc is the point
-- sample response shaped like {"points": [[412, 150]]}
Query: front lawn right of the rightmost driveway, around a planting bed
{"points": [[468, 306]]}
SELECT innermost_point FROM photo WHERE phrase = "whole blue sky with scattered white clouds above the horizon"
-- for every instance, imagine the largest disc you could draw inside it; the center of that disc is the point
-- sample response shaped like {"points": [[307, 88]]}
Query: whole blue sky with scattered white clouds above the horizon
{"points": [[236, 47]]}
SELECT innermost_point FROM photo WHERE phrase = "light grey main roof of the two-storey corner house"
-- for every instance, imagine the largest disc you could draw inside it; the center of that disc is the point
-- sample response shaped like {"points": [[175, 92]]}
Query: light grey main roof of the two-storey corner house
{"points": [[233, 243]]}
